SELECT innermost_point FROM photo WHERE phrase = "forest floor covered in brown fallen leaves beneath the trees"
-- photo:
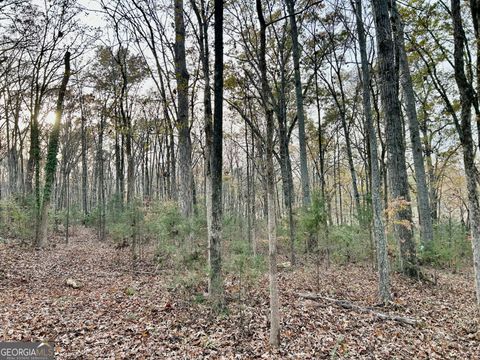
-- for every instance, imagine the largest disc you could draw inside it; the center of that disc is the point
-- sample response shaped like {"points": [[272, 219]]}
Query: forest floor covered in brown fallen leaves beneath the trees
{"points": [[115, 314]]}
